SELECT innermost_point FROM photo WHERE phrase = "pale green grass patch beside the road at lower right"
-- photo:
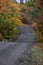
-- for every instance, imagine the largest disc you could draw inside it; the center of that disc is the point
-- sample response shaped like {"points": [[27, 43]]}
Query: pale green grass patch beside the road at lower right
{"points": [[37, 55]]}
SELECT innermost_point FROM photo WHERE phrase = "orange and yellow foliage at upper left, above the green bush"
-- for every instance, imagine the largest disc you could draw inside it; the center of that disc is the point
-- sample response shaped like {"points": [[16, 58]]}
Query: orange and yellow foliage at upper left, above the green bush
{"points": [[11, 8]]}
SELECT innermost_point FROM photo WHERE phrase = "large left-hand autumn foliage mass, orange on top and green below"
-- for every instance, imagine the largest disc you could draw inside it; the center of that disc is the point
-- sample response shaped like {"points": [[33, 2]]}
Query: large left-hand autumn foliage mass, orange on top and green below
{"points": [[10, 18]]}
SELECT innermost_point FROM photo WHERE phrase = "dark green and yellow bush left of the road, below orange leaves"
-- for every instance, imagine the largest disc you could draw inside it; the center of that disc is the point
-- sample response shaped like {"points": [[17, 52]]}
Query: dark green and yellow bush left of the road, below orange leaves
{"points": [[7, 27]]}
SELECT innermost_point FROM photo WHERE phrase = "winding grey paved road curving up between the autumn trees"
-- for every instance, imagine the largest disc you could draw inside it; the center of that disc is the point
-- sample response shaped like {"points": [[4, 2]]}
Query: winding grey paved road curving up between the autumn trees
{"points": [[11, 52]]}
